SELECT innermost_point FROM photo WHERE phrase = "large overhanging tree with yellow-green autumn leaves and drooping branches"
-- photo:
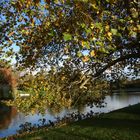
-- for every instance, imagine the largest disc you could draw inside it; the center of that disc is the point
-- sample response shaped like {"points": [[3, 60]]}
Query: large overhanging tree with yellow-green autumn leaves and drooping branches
{"points": [[77, 40]]}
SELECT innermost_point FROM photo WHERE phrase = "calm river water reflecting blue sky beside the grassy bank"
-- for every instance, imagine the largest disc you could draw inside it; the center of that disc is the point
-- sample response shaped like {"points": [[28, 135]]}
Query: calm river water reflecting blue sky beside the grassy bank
{"points": [[10, 119]]}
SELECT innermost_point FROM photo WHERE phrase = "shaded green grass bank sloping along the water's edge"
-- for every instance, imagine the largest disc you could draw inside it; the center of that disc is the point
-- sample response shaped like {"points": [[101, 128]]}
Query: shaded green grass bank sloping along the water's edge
{"points": [[123, 124]]}
